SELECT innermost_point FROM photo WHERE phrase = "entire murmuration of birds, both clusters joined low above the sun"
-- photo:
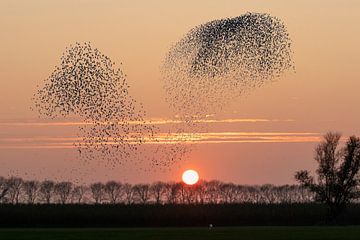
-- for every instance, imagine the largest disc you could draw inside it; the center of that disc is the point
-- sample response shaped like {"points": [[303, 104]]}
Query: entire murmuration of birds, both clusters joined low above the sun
{"points": [[202, 73]]}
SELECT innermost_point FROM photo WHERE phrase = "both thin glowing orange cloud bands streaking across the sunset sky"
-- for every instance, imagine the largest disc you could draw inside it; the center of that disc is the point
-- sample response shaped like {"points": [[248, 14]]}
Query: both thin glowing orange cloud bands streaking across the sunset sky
{"points": [[160, 138]]}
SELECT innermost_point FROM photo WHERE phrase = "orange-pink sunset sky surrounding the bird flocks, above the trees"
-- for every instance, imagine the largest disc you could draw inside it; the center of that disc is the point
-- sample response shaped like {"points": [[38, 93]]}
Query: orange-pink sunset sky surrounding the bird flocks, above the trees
{"points": [[263, 137]]}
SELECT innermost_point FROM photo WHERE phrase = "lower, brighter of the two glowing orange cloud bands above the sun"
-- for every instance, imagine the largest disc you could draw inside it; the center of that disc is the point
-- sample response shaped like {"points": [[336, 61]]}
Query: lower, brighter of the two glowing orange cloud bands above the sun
{"points": [[174, 138]]}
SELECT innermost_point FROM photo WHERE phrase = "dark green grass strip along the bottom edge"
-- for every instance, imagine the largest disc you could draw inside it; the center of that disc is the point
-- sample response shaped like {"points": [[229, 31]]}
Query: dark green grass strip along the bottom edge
{"points": [[239, 233]]}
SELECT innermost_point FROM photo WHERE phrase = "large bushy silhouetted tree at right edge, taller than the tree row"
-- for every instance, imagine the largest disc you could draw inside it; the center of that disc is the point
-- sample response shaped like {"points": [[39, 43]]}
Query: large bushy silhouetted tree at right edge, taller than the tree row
{"points": [[337, 173]]}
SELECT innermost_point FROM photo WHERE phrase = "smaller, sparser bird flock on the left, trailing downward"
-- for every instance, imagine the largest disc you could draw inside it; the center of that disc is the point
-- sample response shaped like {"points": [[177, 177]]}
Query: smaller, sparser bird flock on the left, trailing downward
{"points": [[86, 84]]}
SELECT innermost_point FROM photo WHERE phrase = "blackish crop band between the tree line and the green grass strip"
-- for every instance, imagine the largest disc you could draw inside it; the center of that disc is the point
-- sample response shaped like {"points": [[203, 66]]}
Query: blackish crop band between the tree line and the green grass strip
{"points": [[115, 216]]}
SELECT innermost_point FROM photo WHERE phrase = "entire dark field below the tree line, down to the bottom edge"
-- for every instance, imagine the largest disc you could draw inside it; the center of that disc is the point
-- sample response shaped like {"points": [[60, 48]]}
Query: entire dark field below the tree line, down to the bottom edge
{"points": [[171, 222]]}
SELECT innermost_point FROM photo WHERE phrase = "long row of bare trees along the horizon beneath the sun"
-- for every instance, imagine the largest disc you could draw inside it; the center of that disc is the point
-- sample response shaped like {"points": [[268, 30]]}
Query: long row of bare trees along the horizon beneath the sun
{"points": [[15, 190]]}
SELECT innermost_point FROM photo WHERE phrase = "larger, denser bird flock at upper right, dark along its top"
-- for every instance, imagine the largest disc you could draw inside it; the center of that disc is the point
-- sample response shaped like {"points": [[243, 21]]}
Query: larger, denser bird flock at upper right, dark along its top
{"points": [[223, 59]]}
